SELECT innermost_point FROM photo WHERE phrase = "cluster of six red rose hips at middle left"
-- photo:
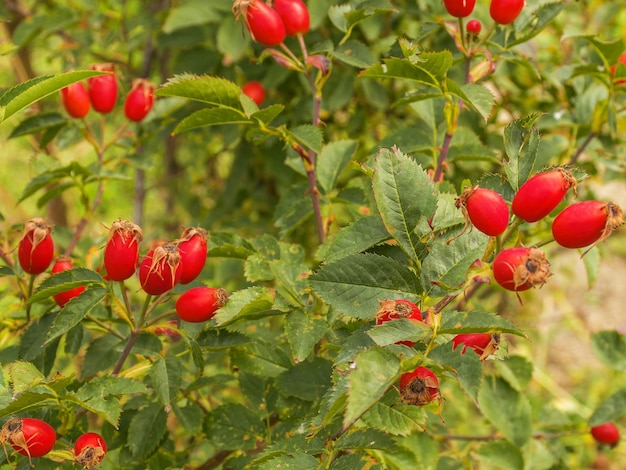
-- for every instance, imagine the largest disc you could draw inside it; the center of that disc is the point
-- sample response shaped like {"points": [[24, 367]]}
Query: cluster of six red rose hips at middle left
{"points": [[165, 265]]}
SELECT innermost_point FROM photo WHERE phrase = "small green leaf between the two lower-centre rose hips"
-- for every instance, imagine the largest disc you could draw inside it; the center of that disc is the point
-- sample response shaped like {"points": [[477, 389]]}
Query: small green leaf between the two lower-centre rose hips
{"points": [[467, 367]]}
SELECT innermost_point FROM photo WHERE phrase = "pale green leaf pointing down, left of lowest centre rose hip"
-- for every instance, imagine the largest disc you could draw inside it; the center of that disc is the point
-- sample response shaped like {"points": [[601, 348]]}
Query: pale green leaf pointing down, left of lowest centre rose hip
{"points": [[374, 371]]}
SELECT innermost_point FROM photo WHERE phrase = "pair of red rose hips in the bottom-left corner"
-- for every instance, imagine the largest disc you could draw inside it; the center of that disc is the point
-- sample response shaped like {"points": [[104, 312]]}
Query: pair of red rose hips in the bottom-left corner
{"points": [[34, 438]]}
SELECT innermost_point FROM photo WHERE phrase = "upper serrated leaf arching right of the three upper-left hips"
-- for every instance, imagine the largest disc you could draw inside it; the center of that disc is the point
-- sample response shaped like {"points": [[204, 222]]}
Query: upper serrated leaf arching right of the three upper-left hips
{"points": [[206, 89]]}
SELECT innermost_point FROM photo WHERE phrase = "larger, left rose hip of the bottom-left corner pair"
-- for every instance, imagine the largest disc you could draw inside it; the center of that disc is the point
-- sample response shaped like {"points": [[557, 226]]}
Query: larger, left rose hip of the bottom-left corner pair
{"points": [[28, 436]]}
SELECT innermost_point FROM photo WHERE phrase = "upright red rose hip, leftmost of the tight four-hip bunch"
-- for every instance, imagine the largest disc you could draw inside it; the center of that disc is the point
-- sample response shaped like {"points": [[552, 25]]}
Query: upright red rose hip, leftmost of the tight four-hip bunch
{"points": [[121, 254]]}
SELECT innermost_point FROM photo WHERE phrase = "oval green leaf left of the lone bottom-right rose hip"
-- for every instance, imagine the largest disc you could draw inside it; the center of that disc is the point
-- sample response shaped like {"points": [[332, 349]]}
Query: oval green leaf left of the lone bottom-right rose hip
{"points": [[507, 409]]}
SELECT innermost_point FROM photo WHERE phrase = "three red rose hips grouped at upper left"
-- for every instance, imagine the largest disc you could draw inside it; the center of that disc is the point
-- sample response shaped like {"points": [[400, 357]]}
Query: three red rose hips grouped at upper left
{"points": [[101, 94]]}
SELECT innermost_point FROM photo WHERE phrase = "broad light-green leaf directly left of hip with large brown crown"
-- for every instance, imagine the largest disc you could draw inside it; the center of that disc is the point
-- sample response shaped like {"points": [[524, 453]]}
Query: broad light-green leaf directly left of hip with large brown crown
{"points": [[446, 267]]}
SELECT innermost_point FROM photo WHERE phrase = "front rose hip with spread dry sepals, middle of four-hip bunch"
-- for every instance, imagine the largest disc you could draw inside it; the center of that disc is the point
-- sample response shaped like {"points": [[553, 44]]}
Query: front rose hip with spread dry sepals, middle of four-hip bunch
{"points": [[161, 269]]}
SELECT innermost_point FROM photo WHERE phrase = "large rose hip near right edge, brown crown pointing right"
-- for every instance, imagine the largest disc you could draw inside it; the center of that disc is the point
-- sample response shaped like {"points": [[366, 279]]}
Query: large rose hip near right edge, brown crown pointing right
{"points": [[585, 223]]}
